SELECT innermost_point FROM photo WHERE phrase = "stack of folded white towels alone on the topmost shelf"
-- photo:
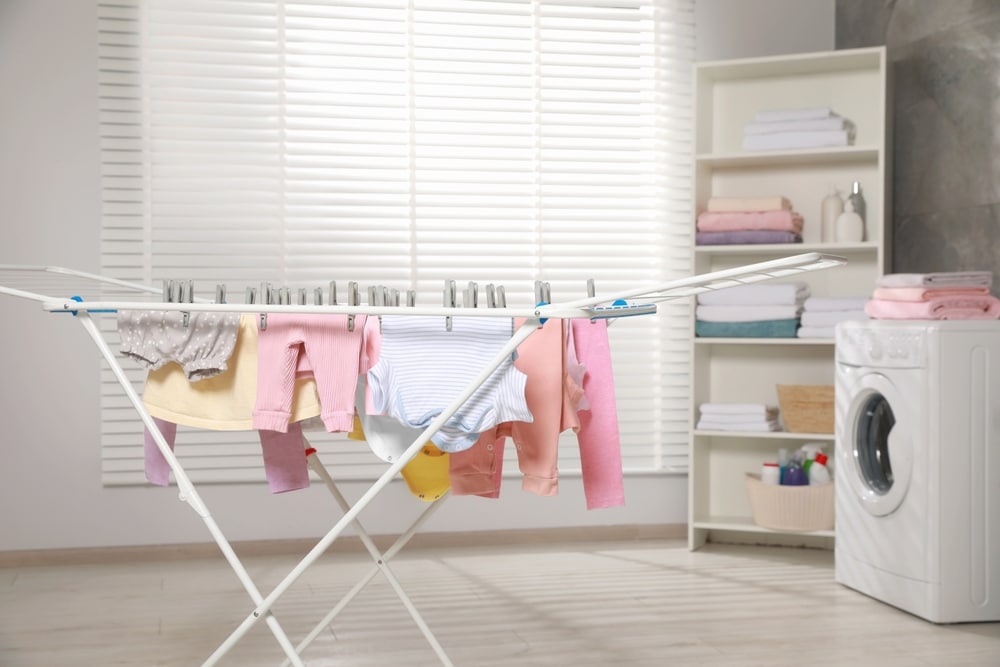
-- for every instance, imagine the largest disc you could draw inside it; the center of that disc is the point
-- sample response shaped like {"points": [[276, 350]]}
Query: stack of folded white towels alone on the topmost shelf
{"points": [[778, 129]]}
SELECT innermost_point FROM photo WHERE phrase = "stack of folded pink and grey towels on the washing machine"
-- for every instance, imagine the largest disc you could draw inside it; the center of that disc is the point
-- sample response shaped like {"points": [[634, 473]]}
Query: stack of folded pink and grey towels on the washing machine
{"points": [[959, 295]]}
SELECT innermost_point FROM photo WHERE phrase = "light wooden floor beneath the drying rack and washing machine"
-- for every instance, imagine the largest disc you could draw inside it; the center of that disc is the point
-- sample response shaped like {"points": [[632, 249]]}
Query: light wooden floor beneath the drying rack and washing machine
{"points": [[621, 603]]}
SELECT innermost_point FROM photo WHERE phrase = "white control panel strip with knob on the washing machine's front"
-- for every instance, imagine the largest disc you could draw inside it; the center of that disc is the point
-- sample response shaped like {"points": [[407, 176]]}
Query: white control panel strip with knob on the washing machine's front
{"points": [[868, 344]]}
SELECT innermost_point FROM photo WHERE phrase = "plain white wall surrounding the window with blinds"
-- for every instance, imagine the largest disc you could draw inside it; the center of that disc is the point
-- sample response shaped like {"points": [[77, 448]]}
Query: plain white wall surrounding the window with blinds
{"points": [[50, 491]]}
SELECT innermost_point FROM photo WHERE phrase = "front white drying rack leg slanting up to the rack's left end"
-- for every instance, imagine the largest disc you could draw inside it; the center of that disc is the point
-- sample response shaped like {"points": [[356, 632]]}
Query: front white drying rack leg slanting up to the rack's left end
{"points": [[187, 490]]}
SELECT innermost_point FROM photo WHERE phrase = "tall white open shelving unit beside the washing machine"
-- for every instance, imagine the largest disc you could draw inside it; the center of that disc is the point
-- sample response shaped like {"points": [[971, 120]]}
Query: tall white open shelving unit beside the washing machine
{"points": [[855, 84]]}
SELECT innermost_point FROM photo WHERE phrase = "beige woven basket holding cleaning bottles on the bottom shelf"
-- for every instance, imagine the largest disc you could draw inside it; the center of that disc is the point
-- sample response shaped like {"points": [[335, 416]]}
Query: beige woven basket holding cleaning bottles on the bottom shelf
{"points": [[798, 508]]}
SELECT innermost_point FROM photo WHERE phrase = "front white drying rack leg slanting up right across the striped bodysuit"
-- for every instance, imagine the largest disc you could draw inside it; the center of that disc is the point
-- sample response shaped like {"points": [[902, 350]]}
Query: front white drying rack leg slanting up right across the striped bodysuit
{"points": [[522, 333]]}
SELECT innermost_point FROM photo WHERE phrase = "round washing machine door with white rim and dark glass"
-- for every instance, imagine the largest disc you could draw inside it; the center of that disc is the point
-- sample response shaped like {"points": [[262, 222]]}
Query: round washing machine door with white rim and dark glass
{"points": [[877, 443]]}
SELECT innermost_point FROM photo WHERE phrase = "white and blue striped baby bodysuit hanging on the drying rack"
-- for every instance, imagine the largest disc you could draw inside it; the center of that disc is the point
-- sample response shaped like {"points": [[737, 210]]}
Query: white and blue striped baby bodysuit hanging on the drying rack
{"points": [[422, 368]]}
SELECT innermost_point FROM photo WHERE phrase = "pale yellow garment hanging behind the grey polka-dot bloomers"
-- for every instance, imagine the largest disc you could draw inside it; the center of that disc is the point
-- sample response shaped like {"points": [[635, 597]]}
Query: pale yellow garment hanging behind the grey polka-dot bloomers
{"points": [[226, 401]]}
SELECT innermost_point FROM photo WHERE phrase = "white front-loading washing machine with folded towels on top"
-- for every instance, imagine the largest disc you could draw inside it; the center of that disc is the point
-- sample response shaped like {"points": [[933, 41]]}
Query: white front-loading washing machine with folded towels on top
{"points": [[917, 476]]}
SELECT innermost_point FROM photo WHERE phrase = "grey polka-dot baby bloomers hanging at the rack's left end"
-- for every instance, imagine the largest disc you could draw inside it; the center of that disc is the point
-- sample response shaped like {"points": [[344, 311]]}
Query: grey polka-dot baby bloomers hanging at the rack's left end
{"points": [[200, 342]]}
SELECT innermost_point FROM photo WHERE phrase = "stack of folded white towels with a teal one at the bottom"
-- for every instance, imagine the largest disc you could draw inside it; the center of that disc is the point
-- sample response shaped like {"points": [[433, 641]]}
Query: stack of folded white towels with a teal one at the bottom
{"points": [[758, 310]]}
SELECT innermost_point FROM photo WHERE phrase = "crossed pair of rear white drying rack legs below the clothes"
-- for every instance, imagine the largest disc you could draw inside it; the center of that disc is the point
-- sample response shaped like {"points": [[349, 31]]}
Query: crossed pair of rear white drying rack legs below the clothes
{"points": [[381, 561]]}
